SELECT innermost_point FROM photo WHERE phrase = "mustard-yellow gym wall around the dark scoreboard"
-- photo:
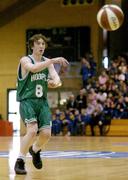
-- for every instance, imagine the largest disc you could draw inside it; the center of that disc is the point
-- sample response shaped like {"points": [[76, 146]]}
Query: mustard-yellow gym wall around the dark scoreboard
{"points": [[48, 14]]}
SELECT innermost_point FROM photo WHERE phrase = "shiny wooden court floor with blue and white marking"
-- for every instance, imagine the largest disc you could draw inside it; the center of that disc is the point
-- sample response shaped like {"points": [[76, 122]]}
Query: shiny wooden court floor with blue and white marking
{"points": [[70, 158]]}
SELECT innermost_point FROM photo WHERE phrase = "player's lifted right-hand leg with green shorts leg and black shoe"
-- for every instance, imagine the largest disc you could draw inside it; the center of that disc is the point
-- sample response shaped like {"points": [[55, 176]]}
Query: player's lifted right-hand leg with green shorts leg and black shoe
{"points": [[44, 119]]}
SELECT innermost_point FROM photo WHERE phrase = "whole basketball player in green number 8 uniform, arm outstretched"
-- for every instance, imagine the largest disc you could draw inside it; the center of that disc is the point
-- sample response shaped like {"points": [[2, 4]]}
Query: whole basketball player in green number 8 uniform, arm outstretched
{"points": [[35, 74]]}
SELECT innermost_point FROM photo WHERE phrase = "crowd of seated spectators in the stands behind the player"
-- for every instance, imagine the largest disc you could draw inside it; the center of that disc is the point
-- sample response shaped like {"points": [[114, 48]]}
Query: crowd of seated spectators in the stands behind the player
{"points": [[103, 97]]}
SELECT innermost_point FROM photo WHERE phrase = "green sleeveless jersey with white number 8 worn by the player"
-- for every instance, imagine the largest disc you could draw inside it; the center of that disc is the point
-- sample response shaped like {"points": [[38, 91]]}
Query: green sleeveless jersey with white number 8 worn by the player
{"points": [[33, 85]]}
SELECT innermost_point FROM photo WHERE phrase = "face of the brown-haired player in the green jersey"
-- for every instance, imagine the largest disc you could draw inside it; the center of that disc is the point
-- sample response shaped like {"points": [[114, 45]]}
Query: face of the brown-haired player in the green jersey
{"points": [[39, 47]]}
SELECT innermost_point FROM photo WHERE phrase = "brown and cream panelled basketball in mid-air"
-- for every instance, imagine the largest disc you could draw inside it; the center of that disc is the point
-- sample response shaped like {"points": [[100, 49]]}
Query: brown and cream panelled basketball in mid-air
{"points": [[110, 17]]}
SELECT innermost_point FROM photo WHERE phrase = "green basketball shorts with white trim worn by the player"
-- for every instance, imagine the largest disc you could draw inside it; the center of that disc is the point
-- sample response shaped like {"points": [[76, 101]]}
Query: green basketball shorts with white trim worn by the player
{"points": [[36, 110]]}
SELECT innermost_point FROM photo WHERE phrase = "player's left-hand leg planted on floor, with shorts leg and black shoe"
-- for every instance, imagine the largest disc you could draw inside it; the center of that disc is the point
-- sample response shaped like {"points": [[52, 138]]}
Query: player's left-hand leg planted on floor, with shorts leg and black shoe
{"points": [[27, 113]]}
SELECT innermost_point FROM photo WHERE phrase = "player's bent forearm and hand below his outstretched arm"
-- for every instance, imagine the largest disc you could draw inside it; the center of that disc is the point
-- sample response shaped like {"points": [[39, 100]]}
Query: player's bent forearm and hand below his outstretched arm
{"points": [[54, 80]]}
